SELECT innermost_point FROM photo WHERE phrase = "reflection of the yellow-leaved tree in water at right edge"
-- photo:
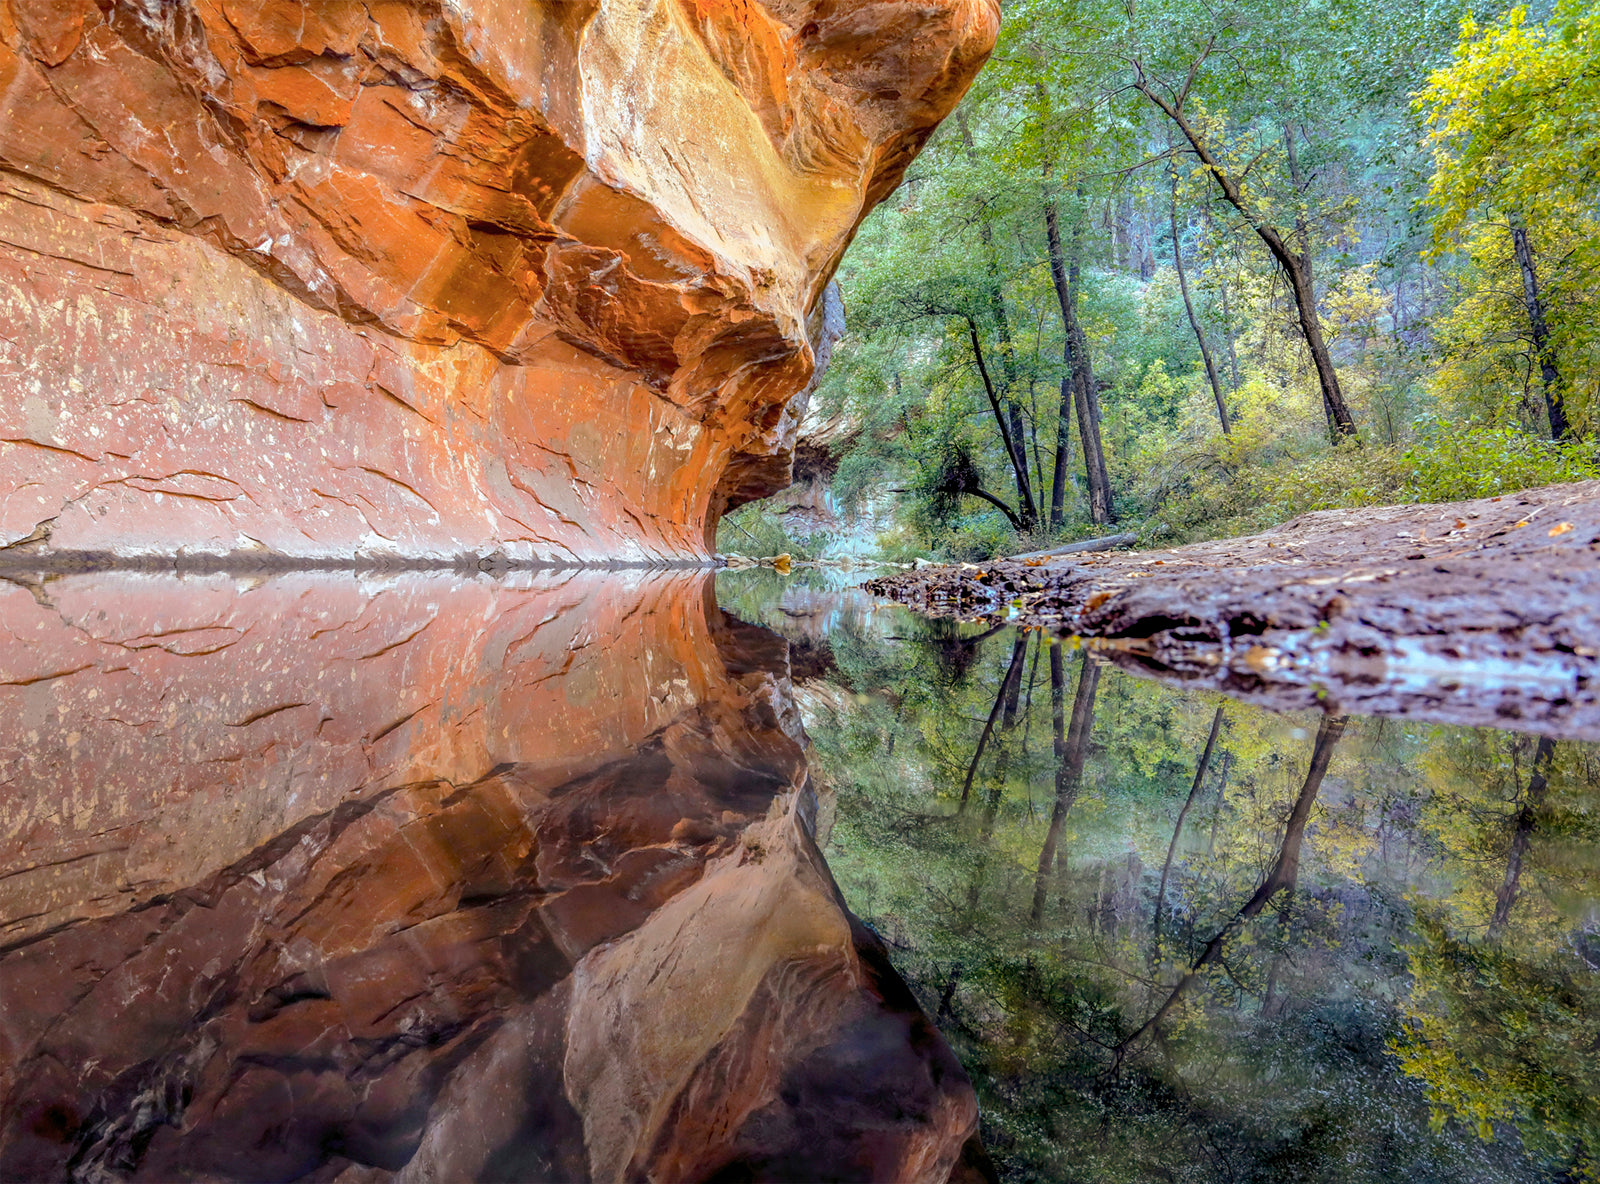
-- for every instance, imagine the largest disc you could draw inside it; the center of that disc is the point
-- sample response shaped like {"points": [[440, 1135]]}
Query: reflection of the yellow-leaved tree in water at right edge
{"points": [[1503, 1018]]}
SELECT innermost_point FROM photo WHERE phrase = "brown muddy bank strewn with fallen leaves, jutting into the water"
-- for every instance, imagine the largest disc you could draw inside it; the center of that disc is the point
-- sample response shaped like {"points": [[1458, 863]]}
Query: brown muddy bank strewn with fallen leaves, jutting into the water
{"points": [[1482, 612]]}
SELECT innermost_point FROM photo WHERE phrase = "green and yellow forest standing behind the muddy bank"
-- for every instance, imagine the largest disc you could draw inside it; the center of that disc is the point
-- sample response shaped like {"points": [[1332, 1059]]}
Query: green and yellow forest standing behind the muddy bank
{"points": [[1193, 270]]}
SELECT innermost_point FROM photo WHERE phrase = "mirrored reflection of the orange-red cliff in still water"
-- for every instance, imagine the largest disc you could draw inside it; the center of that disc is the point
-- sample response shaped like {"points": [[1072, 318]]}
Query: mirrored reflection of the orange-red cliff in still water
{"points": [[452, 881]]}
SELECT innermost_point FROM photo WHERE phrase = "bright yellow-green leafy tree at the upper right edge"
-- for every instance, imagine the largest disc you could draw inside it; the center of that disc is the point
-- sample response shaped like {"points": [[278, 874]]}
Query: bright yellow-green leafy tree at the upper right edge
{"points": [[1514, 129]]}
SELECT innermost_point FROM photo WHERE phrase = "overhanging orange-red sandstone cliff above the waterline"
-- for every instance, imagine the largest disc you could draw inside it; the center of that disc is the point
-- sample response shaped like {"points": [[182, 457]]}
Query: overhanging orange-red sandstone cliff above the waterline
{"points": [[414, 279]]}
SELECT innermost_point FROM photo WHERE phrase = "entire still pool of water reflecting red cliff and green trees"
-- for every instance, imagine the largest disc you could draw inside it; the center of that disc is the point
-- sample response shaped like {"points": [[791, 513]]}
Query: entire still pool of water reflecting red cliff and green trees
{"points": [[670, 878]]}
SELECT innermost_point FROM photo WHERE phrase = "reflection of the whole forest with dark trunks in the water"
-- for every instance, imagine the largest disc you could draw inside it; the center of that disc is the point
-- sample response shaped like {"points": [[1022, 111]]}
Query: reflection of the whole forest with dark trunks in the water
{"points": [[1178, 942]]}
